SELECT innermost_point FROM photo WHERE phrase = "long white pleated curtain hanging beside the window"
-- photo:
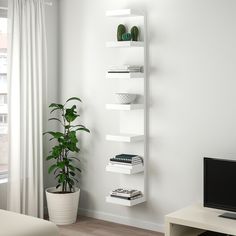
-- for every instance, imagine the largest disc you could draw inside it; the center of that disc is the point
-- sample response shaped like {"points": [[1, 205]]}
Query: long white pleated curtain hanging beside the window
{"points": [[27, 76]]}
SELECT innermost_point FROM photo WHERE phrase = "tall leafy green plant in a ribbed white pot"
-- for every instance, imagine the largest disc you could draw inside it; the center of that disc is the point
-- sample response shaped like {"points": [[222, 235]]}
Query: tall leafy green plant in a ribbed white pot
{"points": [[63, 199]]}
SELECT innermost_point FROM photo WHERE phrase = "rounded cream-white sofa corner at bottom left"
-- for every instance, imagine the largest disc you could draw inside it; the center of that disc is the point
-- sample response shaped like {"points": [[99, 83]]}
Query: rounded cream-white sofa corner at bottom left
{"points": [[13, 224]]}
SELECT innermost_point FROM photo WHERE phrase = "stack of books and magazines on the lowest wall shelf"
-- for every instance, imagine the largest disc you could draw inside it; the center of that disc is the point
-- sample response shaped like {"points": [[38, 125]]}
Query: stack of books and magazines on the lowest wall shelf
{"points": [[127, 194]]}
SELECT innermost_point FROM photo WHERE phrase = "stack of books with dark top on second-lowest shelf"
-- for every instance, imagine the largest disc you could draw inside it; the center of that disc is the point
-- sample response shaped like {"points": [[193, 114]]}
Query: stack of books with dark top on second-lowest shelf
{"points": [[126, 160]]}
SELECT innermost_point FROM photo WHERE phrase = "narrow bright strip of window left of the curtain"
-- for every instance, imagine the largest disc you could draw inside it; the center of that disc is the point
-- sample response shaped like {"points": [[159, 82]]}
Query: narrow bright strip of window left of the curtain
{"points": [[3, 99]]}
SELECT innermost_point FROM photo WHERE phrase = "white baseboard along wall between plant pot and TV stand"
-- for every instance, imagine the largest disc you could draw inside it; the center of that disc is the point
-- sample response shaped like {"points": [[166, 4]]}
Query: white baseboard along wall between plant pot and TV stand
{"points": [[122, 220]]}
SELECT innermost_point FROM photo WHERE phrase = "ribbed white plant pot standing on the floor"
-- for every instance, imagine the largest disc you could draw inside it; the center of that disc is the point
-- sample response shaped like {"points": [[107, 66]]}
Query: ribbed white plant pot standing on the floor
{"points": [[62, 208]]}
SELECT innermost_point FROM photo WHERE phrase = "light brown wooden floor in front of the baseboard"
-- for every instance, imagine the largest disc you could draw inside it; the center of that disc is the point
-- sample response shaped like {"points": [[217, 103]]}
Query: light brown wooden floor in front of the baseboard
{"points": [[91, 227]]}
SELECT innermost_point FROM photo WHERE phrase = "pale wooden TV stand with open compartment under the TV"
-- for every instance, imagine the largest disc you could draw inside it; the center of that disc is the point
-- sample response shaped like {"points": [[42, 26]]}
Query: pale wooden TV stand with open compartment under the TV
{"points": [[195, 219]]}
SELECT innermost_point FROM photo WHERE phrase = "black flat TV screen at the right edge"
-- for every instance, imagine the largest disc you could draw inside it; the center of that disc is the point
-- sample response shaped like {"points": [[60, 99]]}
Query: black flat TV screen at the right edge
{"points": [[220, 184]]}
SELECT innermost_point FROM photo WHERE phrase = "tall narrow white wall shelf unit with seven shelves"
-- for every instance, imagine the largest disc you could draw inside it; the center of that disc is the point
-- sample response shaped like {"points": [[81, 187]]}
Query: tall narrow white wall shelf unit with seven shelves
{"points": [[132, 131]]}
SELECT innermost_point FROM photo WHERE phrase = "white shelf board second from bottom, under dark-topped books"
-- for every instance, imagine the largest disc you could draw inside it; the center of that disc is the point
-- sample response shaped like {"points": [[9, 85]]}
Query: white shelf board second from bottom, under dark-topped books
{"points": [[129, 170]]}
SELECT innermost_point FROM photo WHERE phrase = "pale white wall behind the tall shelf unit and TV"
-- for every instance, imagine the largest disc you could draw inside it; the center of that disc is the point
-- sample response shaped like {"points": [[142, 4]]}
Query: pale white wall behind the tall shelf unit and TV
{"points": [[192, 57]]}
